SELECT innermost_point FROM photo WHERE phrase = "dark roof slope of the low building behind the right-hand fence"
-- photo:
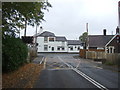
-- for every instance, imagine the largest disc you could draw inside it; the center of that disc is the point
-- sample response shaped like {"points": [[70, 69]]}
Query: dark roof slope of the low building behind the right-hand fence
{"points": [[98, 40]]}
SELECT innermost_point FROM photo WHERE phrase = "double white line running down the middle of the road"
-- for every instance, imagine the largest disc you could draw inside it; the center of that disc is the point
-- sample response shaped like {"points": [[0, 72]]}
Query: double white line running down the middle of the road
{"points": [[85, 76]]}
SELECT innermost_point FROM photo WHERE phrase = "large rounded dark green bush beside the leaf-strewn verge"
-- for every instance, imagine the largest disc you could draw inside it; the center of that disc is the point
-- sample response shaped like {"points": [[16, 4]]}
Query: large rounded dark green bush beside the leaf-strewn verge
{"points": [[14, 53]]}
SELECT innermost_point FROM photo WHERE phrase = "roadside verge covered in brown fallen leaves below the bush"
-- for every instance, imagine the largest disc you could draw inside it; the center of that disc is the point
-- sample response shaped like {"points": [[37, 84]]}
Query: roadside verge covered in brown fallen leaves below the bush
{"points": [[24, 77]]}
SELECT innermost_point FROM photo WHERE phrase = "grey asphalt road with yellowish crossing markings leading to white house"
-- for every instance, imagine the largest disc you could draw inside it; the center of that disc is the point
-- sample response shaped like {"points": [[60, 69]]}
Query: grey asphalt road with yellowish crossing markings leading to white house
{"points": [[65, 71]]}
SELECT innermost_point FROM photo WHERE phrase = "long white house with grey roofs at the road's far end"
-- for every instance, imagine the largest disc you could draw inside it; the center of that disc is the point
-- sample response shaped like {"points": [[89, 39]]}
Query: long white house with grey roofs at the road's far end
{"points": [[48, 42]]}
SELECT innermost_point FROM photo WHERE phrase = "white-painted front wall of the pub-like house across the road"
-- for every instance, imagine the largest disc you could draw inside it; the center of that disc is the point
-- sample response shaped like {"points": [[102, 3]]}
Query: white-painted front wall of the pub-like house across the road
{"points": [[55, 44]]}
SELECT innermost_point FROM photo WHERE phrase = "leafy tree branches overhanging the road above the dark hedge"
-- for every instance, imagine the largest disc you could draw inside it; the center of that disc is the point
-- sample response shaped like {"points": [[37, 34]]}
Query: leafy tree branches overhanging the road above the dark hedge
{"points": [[20, 14]]}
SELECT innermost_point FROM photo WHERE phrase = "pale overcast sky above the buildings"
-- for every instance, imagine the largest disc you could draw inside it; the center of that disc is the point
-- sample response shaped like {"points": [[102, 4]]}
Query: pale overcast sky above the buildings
{"points": [[69, 17]]}
